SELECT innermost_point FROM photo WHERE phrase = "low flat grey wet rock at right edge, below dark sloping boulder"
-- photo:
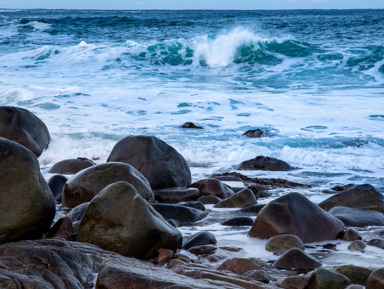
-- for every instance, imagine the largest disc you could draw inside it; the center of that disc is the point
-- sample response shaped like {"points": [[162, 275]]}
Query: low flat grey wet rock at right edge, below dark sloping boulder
{"points": [[358, 217]]}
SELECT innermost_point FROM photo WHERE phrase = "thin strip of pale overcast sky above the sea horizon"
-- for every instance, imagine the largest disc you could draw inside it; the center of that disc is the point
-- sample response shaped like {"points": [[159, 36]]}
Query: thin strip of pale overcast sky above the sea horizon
{"points": [[193, 4]]}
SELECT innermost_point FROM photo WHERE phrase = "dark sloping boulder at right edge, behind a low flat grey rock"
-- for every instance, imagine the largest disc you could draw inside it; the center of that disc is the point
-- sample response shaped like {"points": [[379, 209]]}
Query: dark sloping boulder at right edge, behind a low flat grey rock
{"points": [[364, 197]]}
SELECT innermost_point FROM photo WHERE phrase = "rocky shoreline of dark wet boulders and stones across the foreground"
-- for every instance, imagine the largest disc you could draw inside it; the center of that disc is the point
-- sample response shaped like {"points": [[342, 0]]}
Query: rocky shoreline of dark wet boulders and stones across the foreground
{"points": [[119, 224]]}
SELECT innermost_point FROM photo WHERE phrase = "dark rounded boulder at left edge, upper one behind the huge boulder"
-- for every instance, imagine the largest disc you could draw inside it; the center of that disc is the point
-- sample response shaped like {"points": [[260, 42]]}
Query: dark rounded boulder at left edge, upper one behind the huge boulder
{"points": [[25, 128]]}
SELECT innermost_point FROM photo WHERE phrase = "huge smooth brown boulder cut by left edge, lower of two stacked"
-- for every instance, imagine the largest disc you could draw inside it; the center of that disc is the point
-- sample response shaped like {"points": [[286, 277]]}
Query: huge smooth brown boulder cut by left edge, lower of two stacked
{"points": [[27, 207]]}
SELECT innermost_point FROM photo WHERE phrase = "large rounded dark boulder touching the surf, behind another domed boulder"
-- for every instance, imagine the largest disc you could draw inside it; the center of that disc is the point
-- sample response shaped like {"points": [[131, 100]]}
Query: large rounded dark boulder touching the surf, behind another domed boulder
{"points": [[160, 163]]}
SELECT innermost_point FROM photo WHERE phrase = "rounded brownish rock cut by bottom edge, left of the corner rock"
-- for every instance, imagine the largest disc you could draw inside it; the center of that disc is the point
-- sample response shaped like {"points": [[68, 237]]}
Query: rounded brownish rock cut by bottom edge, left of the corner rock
{"points": [[326, 279]]}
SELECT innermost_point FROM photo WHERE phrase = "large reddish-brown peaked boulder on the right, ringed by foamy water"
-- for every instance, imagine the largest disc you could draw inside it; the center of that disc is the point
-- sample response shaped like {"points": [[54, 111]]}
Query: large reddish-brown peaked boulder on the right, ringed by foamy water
{"points": [[295, 214]]}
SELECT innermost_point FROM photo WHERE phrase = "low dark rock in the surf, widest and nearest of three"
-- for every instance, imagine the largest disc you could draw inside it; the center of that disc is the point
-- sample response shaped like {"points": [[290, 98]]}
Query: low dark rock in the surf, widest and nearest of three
{"points": [[264, 164]]}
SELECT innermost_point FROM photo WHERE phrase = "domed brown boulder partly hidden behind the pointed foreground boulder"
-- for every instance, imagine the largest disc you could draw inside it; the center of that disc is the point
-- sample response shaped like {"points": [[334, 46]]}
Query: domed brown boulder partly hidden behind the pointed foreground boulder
{"points": [[86, 184]]}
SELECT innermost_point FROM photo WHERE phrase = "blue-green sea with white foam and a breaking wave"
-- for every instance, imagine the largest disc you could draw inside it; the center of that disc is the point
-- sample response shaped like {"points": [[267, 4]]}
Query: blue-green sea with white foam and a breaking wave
{"points": [[313, 78]]}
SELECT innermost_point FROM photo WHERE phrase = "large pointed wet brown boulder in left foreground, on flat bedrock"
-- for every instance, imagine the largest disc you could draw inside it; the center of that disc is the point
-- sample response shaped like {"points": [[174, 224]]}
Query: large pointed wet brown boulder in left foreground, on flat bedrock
{"points": [[118, 219]]}
